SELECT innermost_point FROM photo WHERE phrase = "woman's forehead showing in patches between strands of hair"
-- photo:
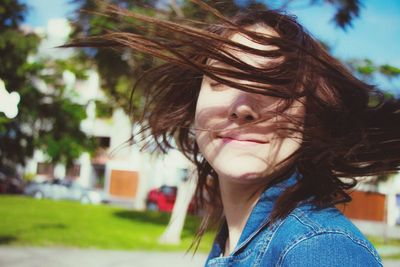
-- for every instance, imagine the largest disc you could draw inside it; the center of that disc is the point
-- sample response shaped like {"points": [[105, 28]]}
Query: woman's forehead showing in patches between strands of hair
{"points": [[243, 39]]}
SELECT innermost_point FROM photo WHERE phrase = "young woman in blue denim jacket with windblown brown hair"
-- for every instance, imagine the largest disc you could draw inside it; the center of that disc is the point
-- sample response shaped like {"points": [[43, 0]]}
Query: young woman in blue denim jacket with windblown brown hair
{"points": [[277, 128]]}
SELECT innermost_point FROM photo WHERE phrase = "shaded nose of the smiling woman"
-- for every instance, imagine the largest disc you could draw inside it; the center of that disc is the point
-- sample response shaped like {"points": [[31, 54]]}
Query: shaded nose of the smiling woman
{"points": [[243, 109]]}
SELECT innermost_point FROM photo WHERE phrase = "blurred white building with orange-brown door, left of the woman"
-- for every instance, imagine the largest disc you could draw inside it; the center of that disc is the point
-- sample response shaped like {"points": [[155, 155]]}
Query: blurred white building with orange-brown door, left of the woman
{"points": [[119, 168]]}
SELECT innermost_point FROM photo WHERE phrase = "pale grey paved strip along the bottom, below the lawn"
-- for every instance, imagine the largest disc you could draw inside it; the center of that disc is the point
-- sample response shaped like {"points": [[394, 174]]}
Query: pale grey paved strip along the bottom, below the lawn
{"points": [[69, 257]]}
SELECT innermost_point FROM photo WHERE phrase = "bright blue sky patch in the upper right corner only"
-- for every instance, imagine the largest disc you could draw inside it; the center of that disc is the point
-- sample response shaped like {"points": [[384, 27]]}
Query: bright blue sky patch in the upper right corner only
{"points": [[375, 34]]}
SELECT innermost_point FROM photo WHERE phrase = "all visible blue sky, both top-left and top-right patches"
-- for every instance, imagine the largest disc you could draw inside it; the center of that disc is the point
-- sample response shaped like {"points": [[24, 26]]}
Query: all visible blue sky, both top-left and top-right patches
{"points": [[374, 35]]}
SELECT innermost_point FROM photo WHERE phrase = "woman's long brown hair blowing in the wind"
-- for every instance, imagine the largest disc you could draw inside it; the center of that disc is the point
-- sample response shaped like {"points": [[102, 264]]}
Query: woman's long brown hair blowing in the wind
{"points": [[344, 135]]}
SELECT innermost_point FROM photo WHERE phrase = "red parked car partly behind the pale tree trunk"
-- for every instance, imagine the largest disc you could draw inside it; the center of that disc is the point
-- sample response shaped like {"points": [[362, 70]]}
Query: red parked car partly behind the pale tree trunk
{"points": [[163, 199]]}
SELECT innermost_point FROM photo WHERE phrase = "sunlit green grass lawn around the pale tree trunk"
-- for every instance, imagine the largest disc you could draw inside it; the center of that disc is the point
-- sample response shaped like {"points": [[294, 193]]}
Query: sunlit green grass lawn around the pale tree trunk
{"points": [[29, 222]]}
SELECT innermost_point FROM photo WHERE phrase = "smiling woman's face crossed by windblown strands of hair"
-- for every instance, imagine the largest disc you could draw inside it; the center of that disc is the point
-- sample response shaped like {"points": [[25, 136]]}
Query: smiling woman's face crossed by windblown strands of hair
{"points": [[235, 130]]}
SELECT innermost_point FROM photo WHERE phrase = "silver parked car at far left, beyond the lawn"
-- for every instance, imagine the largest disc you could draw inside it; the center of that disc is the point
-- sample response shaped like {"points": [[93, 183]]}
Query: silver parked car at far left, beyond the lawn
{"points": [[64, 189]]}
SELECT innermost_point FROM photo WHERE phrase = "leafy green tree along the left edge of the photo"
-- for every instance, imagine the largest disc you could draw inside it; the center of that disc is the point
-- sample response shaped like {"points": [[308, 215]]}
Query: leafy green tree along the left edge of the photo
{"points": [[47, 120]]}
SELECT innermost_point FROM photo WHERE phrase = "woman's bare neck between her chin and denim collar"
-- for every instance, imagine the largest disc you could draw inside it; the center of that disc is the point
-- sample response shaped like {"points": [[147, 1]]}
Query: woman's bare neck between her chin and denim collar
{"points": [[238, 201]]}
